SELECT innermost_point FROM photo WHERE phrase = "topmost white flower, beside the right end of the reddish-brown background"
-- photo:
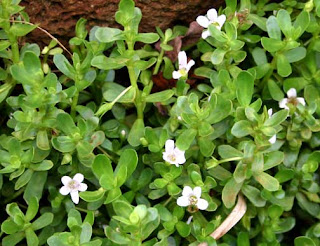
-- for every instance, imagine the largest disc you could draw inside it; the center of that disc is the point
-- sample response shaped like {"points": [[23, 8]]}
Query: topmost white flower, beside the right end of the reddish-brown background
{"points": [[212, 18]]}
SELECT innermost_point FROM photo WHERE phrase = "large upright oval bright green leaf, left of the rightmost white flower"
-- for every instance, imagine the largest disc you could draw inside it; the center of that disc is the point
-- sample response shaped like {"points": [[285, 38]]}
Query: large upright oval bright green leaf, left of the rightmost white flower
{"points": [[245, 85]]}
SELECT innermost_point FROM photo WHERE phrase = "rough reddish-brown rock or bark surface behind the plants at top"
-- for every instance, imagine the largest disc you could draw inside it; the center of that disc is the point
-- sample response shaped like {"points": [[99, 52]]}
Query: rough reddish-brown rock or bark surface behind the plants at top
{"points": [[60, 16]]}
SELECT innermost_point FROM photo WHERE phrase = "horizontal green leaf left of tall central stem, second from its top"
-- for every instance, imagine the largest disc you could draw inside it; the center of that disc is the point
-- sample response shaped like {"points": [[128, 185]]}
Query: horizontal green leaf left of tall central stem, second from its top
{"points": [[108, 63]]}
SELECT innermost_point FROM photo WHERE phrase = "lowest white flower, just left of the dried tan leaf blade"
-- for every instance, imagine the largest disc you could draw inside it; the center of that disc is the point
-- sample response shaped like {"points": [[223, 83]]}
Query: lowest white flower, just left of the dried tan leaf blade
{"points": [[192, 198]]}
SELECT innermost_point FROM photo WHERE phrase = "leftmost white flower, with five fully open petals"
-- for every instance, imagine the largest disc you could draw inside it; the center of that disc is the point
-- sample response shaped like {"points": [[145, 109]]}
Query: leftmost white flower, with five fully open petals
{"points": [[73, 186]]}
